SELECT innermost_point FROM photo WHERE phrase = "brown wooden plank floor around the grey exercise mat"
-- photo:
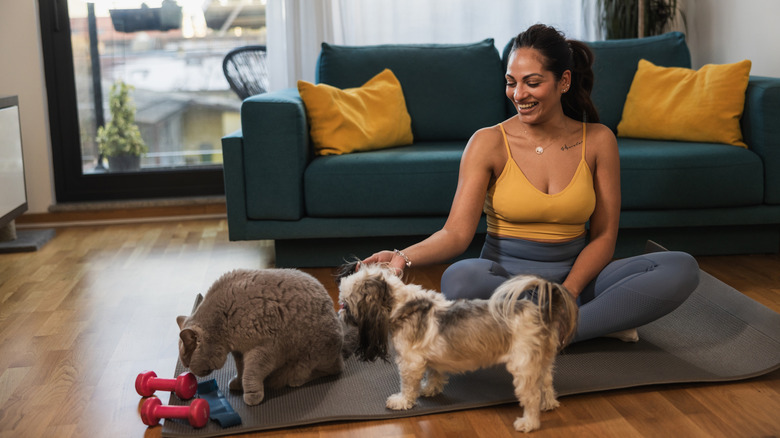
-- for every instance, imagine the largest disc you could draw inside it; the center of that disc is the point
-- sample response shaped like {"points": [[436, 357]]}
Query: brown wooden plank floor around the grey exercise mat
{"points": [[80, 318]]}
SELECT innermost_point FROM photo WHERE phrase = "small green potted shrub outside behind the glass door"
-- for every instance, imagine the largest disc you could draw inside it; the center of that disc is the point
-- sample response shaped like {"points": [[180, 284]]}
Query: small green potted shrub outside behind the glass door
{"points": [[120, 139]]}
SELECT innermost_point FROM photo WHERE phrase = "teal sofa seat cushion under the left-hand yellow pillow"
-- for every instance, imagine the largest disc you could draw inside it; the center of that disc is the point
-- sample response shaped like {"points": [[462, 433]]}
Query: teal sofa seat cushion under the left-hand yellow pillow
{"points": [[417, 180]]}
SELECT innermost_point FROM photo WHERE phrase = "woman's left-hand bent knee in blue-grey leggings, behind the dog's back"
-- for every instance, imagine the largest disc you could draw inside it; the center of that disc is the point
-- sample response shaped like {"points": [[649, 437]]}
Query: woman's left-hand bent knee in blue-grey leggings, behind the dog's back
{"points": [[472, 278]]}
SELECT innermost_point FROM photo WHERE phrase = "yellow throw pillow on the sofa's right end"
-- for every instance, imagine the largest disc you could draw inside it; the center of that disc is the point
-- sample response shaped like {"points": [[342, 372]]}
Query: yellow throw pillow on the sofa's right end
{"points": [[672, 103]]}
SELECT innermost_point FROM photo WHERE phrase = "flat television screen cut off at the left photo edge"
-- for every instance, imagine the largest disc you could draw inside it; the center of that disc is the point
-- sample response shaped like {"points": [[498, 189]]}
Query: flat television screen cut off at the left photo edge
{"points": [[13, 193]]}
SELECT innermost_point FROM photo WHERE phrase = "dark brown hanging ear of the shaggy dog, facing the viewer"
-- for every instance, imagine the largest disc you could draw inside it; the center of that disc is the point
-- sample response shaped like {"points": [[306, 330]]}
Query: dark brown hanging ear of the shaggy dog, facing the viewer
{"points": [[373, 319]]}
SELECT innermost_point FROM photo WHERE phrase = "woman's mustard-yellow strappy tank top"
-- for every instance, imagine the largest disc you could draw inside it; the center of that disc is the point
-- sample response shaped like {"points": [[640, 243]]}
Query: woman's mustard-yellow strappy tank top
{"points": [[516, 208]]}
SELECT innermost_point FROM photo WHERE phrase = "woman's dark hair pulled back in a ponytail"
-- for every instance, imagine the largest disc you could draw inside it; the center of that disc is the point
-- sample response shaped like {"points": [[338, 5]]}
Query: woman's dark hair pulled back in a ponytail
{"points": [[560, 55]]}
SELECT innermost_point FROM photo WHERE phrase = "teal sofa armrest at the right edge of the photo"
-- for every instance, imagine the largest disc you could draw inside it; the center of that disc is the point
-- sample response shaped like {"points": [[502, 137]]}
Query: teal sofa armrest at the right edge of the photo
{"points": [[761, 129]]}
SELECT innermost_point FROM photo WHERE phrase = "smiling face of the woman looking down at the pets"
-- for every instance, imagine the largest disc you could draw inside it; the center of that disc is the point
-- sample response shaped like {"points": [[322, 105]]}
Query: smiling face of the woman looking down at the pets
{"points": [[534, 91]]}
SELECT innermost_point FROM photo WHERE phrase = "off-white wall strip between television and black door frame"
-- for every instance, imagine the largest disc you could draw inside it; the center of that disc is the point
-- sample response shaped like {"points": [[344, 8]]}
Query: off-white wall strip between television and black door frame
{"points": [[21, 74]]}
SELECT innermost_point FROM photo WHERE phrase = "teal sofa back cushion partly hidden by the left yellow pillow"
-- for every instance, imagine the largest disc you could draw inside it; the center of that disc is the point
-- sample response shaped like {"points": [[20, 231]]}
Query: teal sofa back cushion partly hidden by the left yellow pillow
{"points": [[451, 90]]}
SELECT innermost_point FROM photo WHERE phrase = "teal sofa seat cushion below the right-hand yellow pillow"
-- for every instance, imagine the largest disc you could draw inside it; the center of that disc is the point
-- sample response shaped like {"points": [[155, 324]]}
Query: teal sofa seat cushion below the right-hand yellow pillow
{"points": [[667, 175]]}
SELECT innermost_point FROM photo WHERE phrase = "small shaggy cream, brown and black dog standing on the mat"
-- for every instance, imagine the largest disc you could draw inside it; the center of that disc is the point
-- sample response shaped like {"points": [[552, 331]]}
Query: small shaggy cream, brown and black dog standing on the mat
{"points": [[523, 325]]}
